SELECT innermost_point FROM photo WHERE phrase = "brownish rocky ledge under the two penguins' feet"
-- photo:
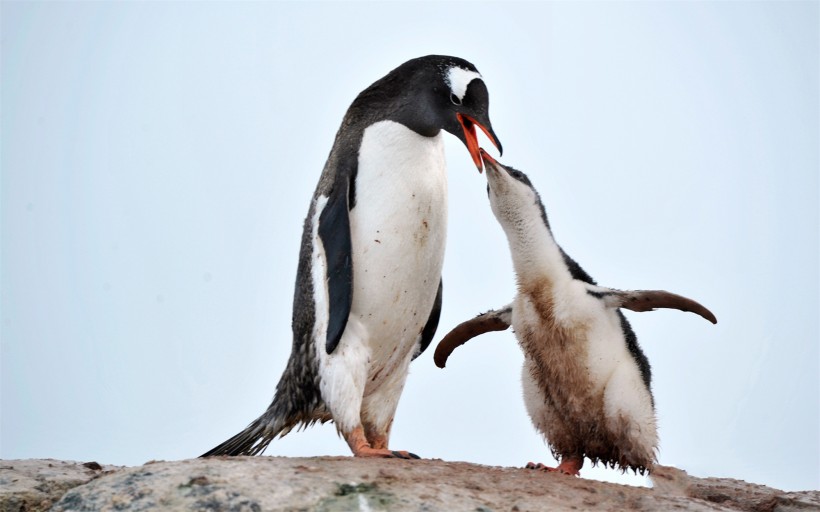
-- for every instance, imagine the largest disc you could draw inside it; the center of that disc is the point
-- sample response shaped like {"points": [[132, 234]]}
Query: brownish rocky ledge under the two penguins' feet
{"points": [[344, 483]]}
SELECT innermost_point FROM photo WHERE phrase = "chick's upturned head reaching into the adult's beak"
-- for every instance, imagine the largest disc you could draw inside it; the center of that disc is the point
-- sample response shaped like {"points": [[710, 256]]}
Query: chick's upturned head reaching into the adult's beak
{"points": [[514, 201]]}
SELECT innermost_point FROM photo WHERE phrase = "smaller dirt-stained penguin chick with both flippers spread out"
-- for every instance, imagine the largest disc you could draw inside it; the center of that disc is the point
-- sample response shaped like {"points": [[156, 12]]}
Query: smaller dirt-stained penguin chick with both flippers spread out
{"points": [[586, 381]]}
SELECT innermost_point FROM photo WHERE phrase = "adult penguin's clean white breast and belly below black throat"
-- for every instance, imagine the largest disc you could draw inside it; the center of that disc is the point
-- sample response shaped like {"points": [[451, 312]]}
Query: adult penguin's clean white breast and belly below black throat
{"points": [[398, 232]]}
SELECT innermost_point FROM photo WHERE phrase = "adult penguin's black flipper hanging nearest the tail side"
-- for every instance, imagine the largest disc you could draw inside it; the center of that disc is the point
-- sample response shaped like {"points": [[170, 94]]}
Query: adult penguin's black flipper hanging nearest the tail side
{"points": [[334, 231]]}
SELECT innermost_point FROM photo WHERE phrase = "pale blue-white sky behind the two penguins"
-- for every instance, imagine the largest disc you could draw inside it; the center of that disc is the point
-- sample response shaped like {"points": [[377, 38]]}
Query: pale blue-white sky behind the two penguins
{"points": [[158, 161]]}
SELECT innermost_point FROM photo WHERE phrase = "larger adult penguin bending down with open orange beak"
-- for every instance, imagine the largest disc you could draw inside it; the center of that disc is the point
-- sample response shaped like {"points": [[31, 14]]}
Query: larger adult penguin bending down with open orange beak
{"points": [[368, 283]]}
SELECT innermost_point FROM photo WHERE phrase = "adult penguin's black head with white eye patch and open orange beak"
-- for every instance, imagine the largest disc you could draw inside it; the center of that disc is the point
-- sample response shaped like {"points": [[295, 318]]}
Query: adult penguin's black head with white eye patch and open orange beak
{"points": [[432, 93]]}
